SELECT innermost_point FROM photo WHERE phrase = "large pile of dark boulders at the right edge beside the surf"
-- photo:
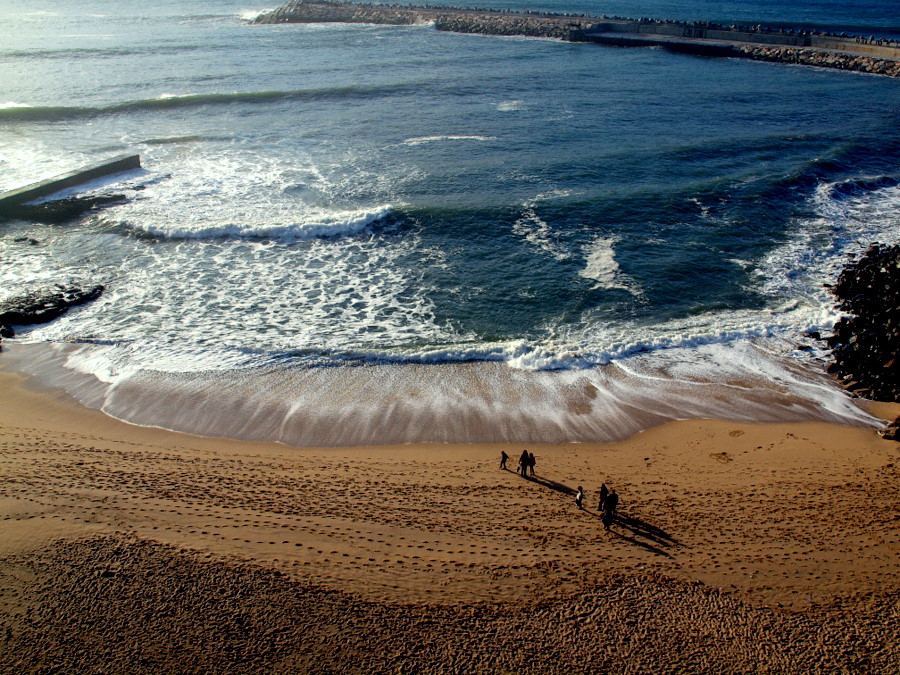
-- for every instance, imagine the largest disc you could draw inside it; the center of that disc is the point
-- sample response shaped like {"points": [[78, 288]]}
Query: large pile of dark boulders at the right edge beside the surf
{"points": [[866, 344]]}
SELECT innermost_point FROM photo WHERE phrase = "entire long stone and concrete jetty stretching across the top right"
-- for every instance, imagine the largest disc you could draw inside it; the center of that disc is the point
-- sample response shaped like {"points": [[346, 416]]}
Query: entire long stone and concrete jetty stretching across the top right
{"points": [[868, 54]]}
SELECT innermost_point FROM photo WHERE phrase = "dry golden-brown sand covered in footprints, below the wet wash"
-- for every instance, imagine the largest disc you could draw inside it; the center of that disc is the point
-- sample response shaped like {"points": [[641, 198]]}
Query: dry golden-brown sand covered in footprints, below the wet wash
{"points": [[739, 548]]}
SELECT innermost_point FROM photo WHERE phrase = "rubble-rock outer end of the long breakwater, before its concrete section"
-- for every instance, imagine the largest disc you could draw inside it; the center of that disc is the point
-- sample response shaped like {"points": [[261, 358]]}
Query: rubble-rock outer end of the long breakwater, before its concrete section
{"points": [[484, 22]]}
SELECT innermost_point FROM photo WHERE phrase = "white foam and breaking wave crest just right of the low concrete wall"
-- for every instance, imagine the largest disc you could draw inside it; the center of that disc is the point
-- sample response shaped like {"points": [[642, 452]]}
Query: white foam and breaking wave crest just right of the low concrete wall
{"points": [[245, 195]]}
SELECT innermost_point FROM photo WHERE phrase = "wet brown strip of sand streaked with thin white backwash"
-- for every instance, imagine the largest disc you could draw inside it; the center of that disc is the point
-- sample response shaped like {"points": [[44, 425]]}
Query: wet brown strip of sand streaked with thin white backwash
{"points": [[451, 403]]}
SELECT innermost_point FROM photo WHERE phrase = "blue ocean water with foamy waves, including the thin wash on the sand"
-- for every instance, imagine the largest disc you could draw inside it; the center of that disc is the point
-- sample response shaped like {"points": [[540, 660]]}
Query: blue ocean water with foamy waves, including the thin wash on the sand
{"points": [[377, 234]]}
